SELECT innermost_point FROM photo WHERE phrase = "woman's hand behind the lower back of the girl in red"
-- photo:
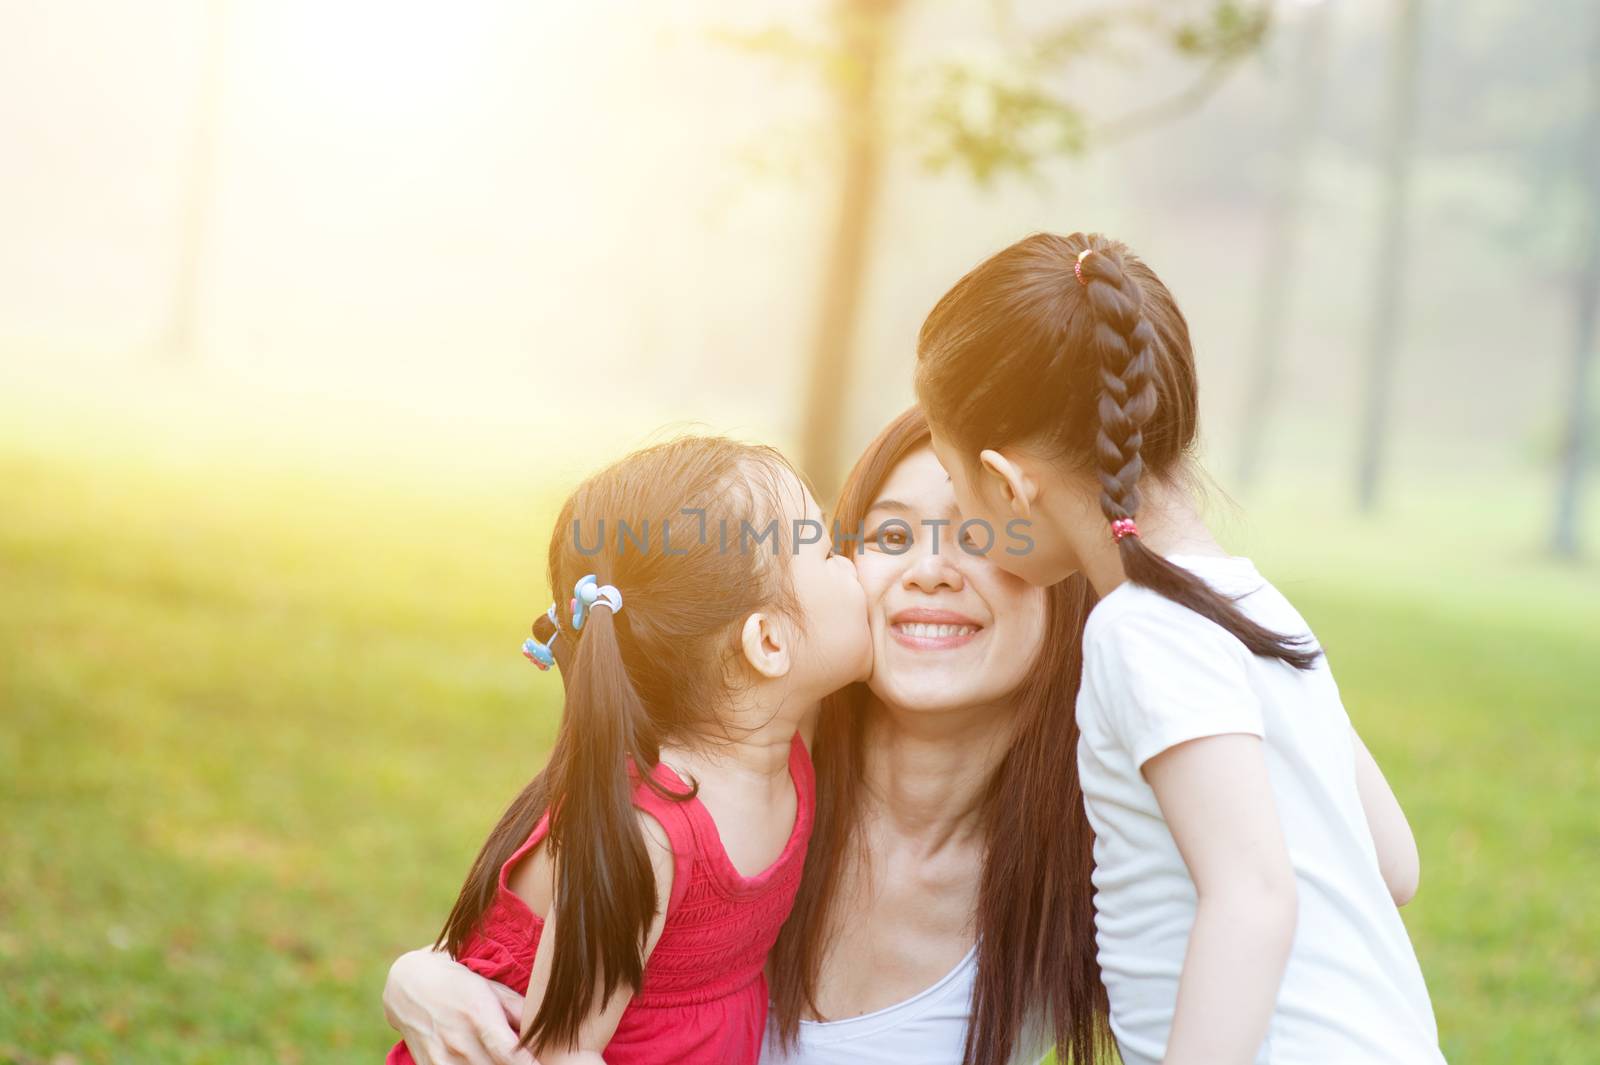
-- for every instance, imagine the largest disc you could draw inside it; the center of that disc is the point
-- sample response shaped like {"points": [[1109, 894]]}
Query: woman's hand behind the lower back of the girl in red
{"points": [[450, 1016]]}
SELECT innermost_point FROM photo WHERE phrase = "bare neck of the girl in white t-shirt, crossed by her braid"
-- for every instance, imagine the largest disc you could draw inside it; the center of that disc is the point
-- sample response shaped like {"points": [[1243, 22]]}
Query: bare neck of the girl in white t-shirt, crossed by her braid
{"points": [[1169, 525]]}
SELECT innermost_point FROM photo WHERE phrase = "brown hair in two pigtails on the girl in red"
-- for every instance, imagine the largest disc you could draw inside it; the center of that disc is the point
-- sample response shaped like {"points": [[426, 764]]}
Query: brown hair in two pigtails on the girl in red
{"points": [[652, 672]]}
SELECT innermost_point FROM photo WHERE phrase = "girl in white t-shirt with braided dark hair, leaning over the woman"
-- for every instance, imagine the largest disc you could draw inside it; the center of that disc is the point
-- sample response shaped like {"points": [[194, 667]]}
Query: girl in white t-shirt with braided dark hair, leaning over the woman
{"points": [[1249, 853]]}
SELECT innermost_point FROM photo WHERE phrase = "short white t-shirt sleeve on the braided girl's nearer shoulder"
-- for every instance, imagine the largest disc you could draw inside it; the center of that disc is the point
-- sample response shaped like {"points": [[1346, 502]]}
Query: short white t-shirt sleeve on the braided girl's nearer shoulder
{"points": [[1167, 677]]}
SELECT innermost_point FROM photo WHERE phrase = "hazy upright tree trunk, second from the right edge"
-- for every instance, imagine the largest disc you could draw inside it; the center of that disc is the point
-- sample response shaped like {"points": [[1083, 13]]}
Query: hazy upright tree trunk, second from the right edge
{"points": [[1393, 245]]}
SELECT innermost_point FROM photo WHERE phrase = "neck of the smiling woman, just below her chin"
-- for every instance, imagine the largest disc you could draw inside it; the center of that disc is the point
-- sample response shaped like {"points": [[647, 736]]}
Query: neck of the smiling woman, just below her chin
{"points": [[927, 772]]}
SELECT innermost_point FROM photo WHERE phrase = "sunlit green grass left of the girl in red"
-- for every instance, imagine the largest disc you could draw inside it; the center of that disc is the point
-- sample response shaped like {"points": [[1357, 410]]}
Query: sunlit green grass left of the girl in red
{"points": [[254, 732]]}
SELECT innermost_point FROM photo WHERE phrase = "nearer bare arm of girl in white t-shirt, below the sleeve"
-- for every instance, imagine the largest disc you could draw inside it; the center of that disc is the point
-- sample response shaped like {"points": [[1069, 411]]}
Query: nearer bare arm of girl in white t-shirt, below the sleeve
{"points": [[1218, 804]]}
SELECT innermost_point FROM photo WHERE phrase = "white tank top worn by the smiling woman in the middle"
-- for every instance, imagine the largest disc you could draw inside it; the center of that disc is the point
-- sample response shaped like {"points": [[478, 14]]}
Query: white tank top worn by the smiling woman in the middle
{"points": [[927, 1029]]}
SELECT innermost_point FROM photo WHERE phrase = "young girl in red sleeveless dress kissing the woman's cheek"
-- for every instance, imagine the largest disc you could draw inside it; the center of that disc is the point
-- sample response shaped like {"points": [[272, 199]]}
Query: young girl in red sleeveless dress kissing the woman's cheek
{"points": [[636, 887]]}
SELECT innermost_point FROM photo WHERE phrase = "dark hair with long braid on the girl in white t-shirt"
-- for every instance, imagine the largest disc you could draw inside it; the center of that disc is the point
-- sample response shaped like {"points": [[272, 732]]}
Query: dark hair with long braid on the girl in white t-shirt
{"points": [[1097, 370]]}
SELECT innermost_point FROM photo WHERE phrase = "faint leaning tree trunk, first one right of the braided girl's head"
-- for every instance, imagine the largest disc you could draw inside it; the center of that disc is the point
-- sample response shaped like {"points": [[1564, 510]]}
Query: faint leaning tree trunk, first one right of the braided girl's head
{"points": [[1284, 215]]}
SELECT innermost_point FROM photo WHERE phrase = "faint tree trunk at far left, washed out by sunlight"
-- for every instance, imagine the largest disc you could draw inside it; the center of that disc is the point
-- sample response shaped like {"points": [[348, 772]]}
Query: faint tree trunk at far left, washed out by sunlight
{"points": [[199, 194]]}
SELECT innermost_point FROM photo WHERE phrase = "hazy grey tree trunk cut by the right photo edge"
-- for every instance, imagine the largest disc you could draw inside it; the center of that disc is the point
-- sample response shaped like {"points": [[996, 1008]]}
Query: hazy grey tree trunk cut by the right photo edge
{"points": [[1575, 449]]}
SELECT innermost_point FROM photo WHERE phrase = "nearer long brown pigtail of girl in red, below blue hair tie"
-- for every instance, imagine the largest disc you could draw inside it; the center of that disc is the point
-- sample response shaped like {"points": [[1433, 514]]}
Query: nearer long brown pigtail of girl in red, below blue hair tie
{"points": [[606, 888]]}
